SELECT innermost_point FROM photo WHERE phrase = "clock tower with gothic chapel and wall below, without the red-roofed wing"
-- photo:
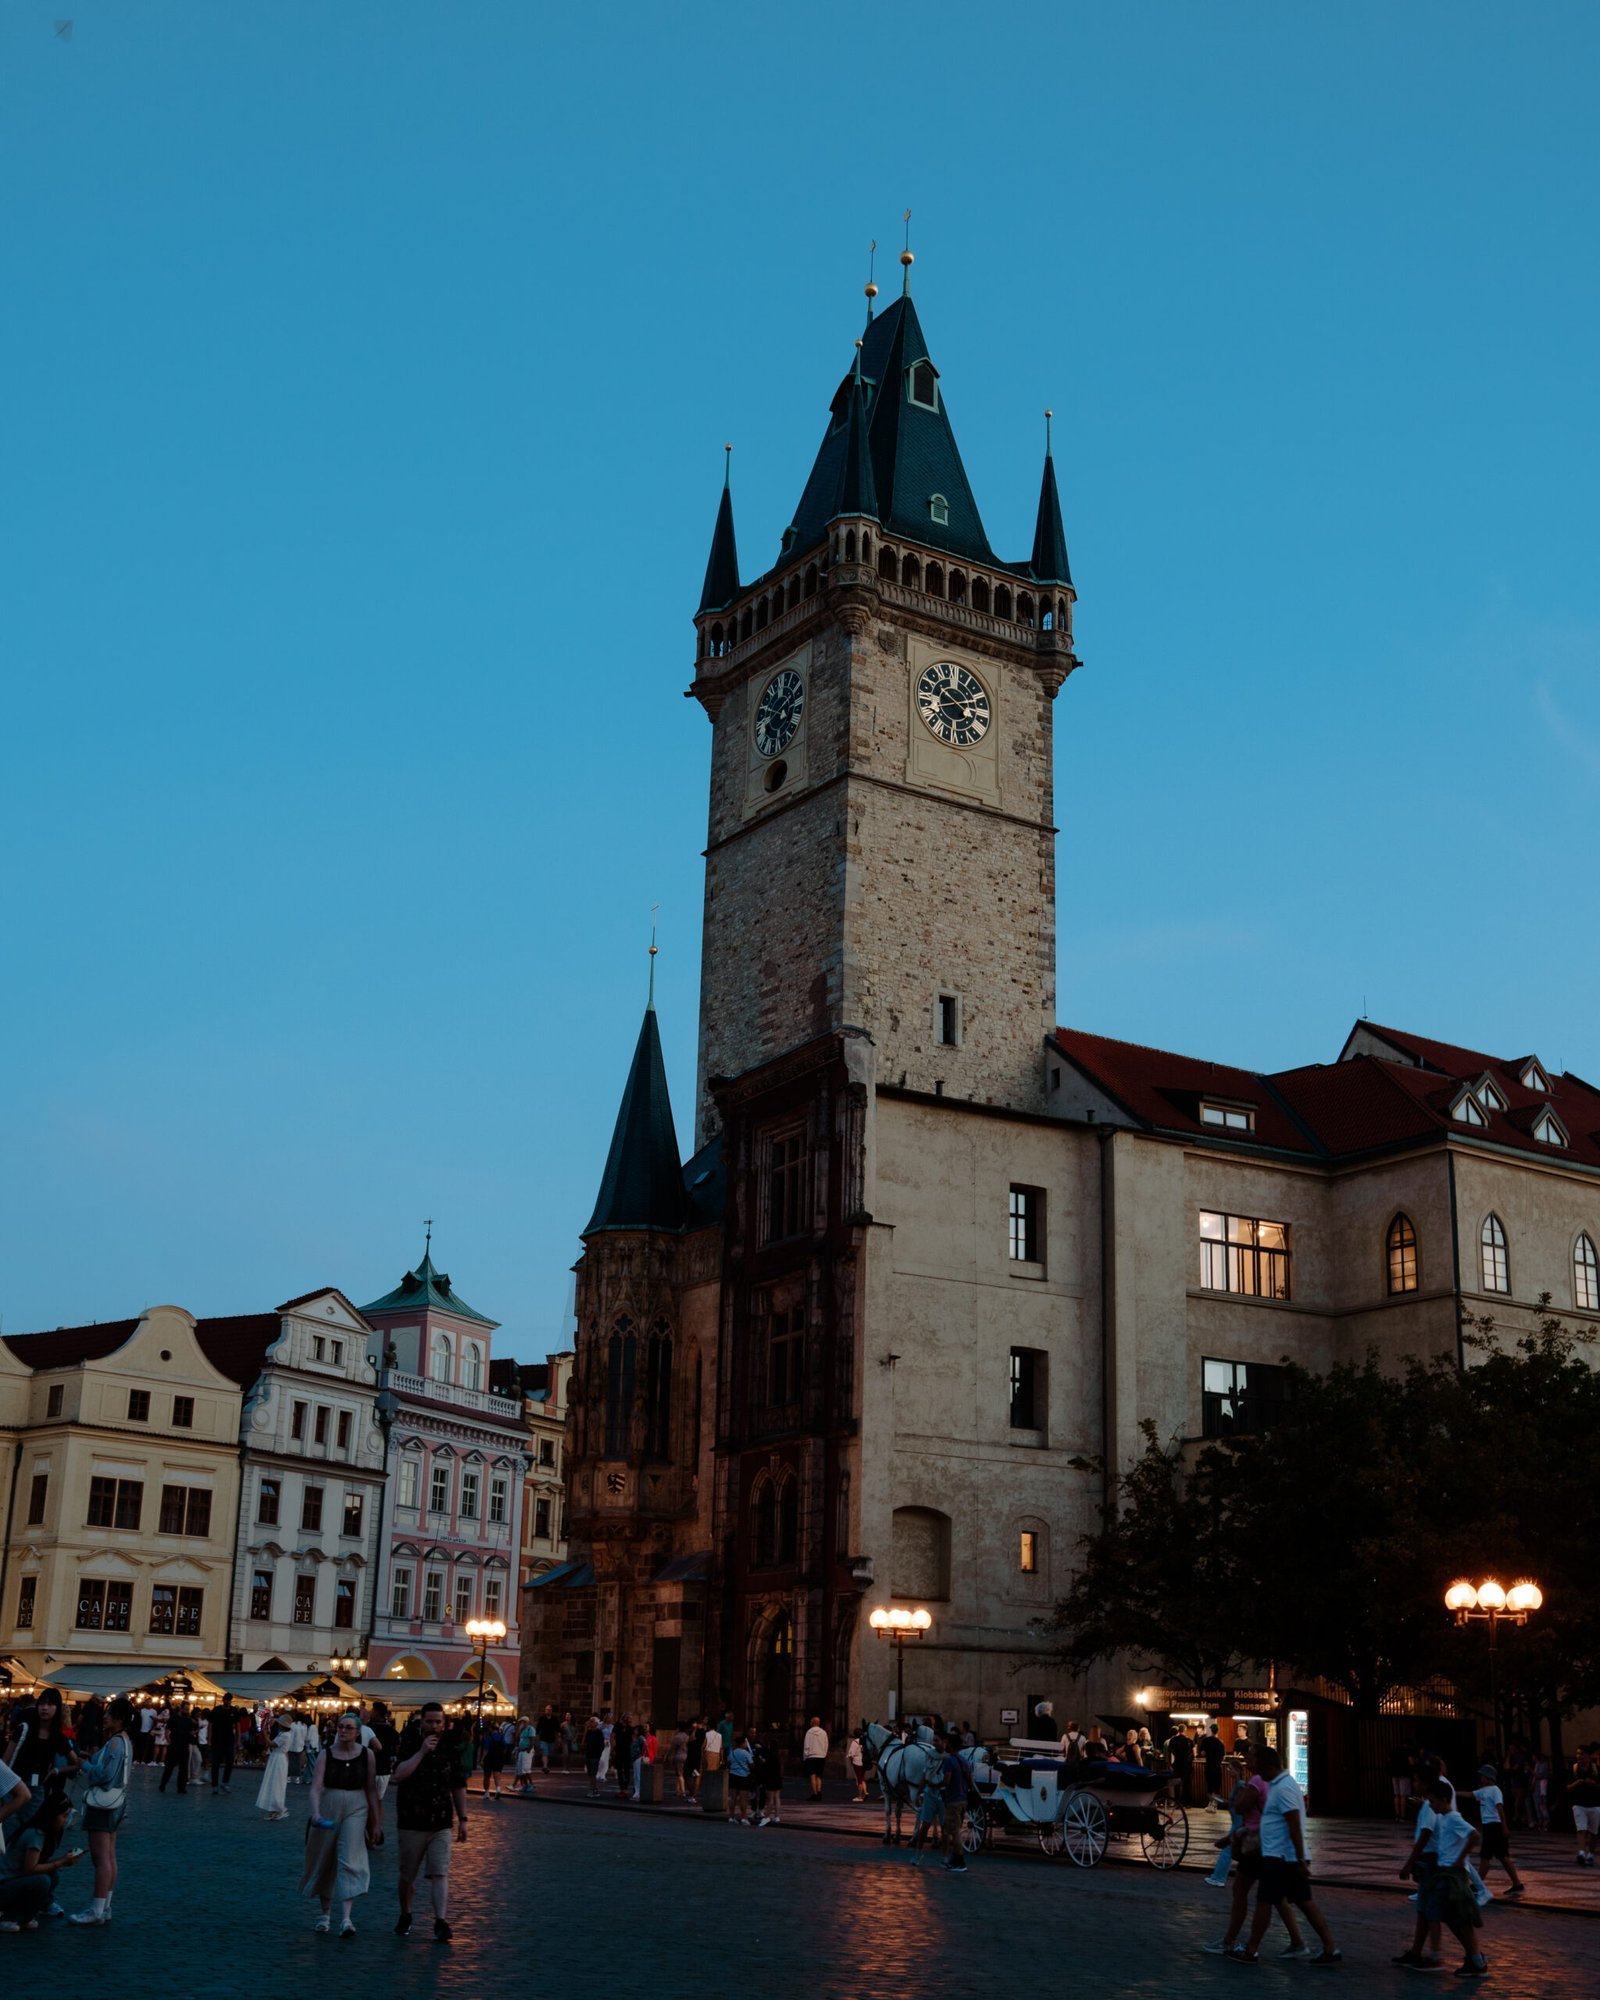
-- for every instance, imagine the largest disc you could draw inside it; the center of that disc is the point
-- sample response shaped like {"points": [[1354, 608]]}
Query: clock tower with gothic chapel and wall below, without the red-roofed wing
{"points": [[781, 1415]]}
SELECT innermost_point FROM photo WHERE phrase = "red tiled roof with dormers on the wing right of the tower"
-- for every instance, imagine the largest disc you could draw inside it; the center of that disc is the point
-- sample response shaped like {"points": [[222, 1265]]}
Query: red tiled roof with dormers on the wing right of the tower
{"points": [[1341, 1109]]}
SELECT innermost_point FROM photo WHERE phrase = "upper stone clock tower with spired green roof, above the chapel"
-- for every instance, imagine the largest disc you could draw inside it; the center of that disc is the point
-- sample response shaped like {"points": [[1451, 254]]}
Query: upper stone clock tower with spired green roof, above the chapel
{"points": [[881, 849]]}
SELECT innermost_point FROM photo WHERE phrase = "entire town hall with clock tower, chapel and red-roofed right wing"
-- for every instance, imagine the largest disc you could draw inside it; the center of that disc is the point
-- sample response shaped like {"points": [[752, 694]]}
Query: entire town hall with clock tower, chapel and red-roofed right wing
{"points": [[937, 1259]]}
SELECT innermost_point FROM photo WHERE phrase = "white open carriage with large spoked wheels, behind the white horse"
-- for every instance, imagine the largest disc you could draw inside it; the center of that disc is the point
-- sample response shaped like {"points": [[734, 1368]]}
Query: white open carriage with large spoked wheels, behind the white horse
{"points": [[1073, 1809]]}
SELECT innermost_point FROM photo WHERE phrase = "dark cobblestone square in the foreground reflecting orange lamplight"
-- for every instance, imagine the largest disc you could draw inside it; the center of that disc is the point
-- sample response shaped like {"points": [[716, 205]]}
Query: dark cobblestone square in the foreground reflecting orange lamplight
{"points": [[553, 1899]]}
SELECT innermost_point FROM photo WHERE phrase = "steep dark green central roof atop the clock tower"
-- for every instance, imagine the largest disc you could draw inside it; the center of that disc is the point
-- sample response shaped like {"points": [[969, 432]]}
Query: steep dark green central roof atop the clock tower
{"points": [[913, 451]]}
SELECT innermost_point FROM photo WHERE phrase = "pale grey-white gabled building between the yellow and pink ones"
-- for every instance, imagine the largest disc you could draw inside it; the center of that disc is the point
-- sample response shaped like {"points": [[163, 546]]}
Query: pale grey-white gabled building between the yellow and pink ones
{"points": [[313, 1481]]}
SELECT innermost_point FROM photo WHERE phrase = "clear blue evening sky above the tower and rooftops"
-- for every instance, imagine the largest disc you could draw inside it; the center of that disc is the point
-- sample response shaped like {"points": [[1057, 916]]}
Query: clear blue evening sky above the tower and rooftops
{"points": [[369, 373]]}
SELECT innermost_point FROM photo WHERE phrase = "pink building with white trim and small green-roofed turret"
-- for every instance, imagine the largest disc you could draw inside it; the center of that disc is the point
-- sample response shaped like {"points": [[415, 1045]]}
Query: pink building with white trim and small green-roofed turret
{"points": [[457, 1461]]}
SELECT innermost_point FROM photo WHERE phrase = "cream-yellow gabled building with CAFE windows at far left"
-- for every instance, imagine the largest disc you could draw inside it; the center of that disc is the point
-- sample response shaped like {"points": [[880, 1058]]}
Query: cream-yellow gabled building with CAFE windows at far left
{"points": [[123, 1501]]}
